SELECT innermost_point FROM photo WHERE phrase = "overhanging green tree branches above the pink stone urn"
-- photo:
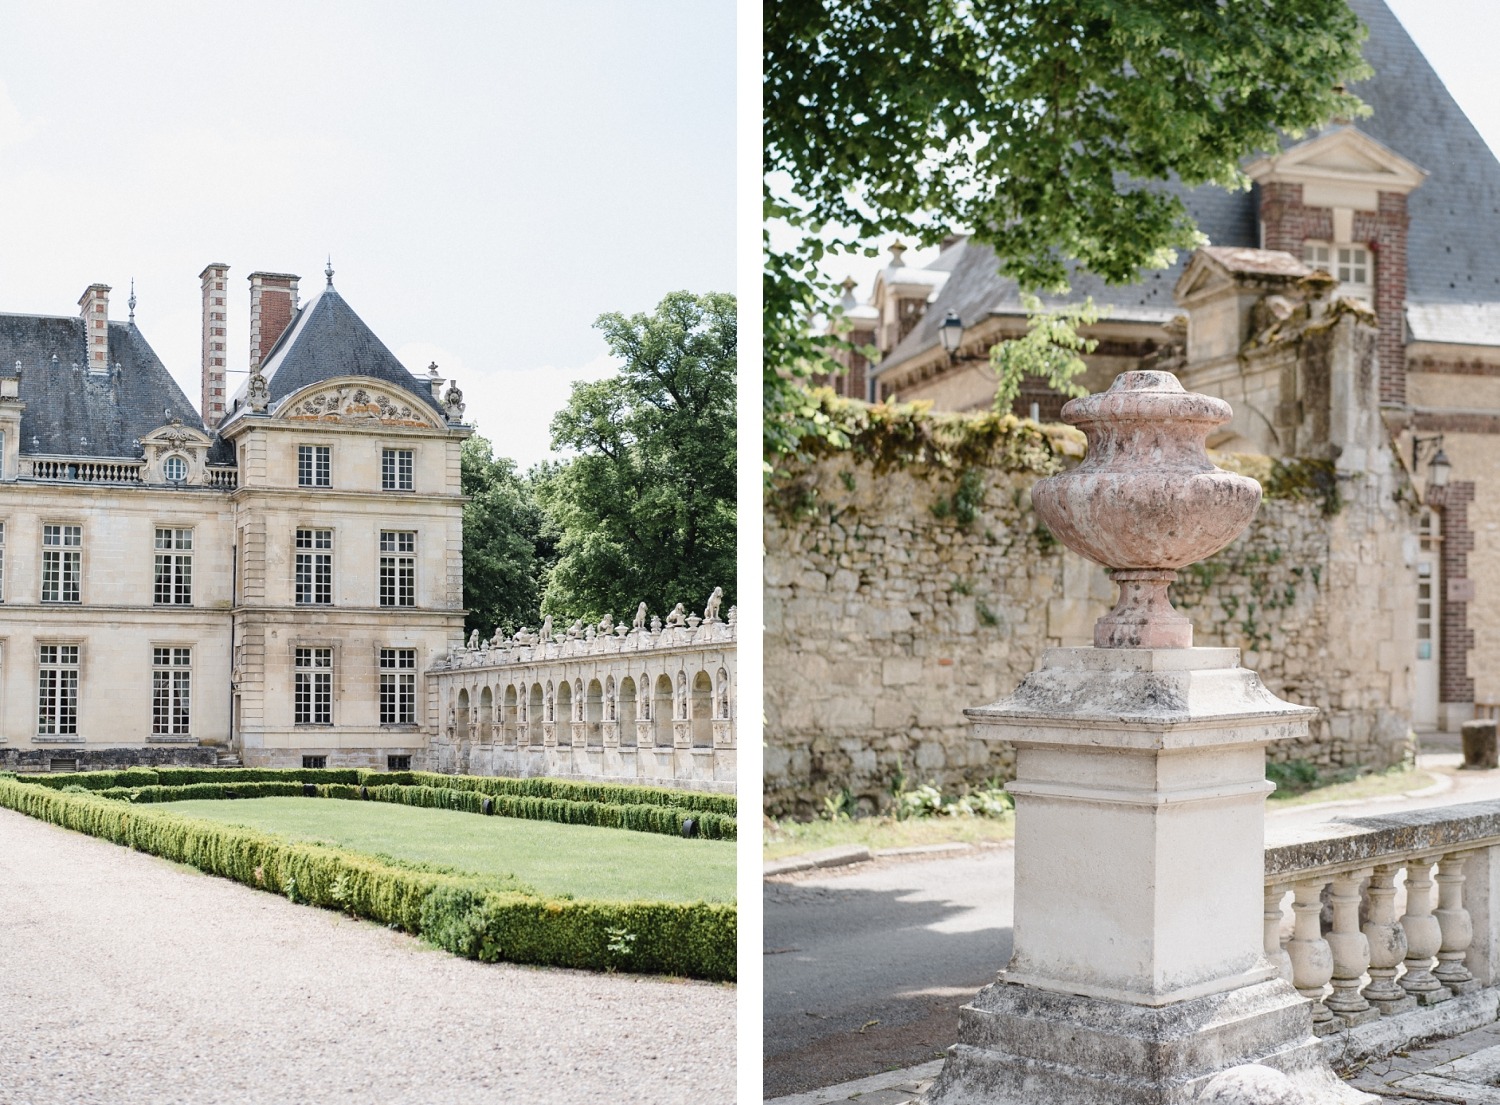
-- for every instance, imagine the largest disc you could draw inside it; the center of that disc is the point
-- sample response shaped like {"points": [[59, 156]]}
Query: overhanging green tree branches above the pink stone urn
{"points": [[1046, 128]]}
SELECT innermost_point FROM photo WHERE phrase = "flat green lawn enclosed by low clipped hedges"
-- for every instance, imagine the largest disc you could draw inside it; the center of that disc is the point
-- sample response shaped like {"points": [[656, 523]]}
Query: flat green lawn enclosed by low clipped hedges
{"points": [[577, 860]]}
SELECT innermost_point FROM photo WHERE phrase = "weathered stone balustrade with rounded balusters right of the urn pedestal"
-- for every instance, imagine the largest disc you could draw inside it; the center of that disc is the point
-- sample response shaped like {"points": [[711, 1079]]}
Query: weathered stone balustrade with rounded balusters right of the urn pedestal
{"points": [[1349, 953]]}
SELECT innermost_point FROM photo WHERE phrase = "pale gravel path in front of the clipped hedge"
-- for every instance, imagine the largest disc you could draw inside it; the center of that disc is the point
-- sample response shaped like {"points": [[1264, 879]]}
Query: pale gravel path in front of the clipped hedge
{"points": [[127, 980]]}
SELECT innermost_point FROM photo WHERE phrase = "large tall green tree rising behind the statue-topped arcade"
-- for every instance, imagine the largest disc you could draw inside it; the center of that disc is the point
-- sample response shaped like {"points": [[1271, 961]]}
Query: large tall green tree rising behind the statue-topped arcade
{"points": [[646, 512]]}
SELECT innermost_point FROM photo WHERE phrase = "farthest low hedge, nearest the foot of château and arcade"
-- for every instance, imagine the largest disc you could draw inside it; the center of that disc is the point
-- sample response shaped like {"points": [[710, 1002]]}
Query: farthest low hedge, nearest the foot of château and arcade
{"points": [[526, 788]]}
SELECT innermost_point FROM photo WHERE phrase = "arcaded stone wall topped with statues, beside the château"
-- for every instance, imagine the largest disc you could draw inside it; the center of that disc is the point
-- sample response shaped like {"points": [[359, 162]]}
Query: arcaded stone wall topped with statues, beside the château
{"points": [[646, 704]]}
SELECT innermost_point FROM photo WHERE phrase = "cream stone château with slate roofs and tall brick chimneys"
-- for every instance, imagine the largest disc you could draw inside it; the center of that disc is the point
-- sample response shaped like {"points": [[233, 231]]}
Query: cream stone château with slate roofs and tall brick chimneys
{"points": [[272, 582]]}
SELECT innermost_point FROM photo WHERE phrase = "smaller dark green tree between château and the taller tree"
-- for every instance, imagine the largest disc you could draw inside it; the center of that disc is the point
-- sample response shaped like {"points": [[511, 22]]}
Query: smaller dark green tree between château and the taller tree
{"points": [[506, 554]]}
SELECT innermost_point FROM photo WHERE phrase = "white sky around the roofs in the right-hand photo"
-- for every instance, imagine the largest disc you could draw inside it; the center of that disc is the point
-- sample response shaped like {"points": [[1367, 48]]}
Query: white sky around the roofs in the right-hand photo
{"points": [[1457, 37]]}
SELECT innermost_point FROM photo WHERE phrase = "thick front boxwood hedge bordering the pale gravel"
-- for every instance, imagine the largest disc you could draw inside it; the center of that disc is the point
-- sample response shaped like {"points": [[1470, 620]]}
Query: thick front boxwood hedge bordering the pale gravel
{"points": [[466, 914]]}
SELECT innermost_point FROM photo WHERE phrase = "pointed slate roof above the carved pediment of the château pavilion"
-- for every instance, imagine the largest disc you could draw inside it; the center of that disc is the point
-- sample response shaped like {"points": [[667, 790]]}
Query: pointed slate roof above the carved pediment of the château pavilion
{"points": [[326, 340]]}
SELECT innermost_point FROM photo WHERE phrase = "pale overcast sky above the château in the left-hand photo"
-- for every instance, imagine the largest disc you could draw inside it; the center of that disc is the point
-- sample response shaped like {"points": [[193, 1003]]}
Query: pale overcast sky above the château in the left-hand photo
{"points": [[490, 178]]}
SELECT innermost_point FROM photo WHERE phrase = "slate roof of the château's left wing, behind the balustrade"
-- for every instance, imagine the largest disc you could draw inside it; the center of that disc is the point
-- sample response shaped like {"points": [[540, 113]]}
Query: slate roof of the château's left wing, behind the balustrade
{"points": [[74, 415]]}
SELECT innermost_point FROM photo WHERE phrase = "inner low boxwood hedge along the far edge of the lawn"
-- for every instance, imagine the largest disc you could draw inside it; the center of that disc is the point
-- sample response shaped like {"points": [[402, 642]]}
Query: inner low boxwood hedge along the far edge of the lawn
{"points": [[637, 818]]}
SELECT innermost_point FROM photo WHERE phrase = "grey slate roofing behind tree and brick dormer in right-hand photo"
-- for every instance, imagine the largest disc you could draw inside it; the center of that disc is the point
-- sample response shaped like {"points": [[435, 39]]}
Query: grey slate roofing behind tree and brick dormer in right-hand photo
{"points": [[1453, 245]]}
